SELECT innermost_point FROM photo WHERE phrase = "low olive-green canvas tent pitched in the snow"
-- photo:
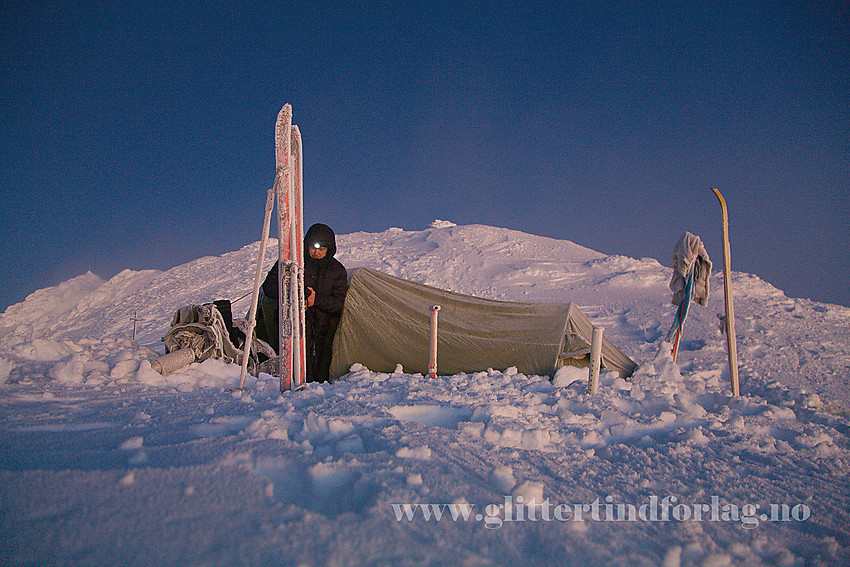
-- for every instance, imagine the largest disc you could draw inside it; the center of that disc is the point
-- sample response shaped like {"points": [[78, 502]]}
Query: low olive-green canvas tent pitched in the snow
{"points": [[386, 321]]}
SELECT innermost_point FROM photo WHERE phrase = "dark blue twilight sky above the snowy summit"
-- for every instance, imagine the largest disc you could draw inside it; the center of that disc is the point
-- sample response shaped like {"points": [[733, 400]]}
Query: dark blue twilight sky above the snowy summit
{"points": [[141, 136]]}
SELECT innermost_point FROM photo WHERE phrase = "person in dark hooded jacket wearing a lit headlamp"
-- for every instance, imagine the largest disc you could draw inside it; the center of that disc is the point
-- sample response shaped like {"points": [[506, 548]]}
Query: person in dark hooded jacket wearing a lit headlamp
{"points": [[325, 285]]}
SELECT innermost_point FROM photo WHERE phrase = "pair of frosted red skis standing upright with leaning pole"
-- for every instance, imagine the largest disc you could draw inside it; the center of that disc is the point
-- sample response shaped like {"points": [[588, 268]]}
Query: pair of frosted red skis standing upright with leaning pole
{"points": [[288, 192]]}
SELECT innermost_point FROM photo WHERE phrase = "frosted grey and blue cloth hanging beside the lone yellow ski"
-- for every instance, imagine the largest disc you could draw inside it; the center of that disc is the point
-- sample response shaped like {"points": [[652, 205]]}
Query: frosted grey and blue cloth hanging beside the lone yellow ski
{"points": [[690, 282]]}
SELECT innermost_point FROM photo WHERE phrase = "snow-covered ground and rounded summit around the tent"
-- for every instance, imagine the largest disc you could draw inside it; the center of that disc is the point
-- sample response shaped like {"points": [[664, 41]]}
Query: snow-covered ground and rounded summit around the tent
{"points": [[105, 462]]}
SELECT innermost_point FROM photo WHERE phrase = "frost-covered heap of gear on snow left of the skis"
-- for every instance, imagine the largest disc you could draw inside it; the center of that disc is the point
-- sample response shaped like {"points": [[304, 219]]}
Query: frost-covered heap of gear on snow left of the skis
{"points": [[203, 329]]}
